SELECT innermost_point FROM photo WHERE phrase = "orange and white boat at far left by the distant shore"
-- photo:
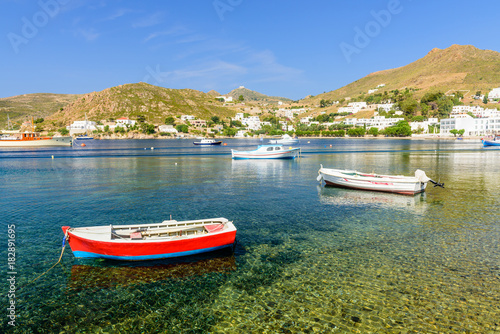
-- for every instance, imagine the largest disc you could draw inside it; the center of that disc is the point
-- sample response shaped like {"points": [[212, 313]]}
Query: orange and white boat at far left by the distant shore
{"points": [[33, 139]]}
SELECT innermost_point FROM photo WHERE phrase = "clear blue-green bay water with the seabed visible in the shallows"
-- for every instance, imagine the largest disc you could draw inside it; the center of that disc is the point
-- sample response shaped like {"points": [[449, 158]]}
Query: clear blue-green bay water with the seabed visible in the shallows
{"points": [[308, 259]]}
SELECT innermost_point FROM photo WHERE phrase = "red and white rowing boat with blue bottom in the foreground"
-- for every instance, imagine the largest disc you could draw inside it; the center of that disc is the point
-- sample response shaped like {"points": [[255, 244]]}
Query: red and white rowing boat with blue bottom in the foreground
{"points": [[151, 241]]}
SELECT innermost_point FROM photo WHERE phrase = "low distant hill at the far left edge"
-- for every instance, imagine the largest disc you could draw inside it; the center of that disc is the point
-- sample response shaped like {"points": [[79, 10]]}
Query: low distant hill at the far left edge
{"points": [[21, 107]]}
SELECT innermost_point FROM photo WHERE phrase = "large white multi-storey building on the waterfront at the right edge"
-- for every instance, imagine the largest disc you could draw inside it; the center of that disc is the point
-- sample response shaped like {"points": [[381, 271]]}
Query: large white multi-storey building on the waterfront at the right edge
{"points": [[472, 126]]}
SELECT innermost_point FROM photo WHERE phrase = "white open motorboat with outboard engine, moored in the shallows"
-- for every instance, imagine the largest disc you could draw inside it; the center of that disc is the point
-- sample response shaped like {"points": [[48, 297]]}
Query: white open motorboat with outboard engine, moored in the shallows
{"points": [[406, 185]]}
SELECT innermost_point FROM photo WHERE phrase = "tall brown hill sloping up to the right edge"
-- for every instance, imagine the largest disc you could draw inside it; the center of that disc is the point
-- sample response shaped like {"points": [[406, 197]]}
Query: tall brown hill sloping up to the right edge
{"points": [[459, 67]]}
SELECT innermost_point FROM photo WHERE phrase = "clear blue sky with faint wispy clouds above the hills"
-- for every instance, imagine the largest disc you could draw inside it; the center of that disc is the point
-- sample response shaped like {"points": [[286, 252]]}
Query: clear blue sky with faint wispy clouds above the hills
{"points": [[281, 48]]}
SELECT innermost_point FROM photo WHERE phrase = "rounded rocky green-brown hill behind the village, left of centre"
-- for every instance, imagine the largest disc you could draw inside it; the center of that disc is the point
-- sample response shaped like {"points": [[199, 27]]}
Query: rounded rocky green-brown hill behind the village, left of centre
{"points": [[131, 100]]}
